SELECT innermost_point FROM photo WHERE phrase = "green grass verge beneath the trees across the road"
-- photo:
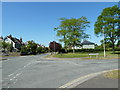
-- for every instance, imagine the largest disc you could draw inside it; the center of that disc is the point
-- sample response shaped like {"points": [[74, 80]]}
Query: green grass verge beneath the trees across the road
{"points": [[86, 56]]}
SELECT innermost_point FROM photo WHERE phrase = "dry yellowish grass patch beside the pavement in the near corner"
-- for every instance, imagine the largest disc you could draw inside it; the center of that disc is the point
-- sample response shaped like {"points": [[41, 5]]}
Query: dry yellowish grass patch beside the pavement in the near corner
{"points": [[115, 74]]}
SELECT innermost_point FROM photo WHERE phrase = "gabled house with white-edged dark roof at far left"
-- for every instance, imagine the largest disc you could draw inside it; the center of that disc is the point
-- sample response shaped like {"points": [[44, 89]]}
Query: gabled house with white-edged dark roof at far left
{"points": [[16, 43]]}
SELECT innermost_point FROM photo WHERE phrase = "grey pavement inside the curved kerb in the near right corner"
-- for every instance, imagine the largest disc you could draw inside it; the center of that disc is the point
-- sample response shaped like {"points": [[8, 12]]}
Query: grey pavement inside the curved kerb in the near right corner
{"points": [[99, 82]]}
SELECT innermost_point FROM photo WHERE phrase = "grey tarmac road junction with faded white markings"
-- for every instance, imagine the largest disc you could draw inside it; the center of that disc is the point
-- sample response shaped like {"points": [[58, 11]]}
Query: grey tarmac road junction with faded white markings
{"points": [[37, 72]]}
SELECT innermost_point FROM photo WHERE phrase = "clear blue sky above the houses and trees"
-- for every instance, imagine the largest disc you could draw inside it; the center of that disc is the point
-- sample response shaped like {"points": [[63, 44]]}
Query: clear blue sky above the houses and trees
{"points": [[37, 20]]}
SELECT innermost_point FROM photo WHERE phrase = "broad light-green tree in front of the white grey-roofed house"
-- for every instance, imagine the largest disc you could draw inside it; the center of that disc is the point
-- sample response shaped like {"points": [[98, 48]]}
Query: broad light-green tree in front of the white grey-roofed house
{"points": [[72, 30]]}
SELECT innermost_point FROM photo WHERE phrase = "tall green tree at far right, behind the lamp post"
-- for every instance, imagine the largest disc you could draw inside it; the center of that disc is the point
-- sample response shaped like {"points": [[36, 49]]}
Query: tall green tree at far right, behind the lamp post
{"points": [[108, 24]]}
